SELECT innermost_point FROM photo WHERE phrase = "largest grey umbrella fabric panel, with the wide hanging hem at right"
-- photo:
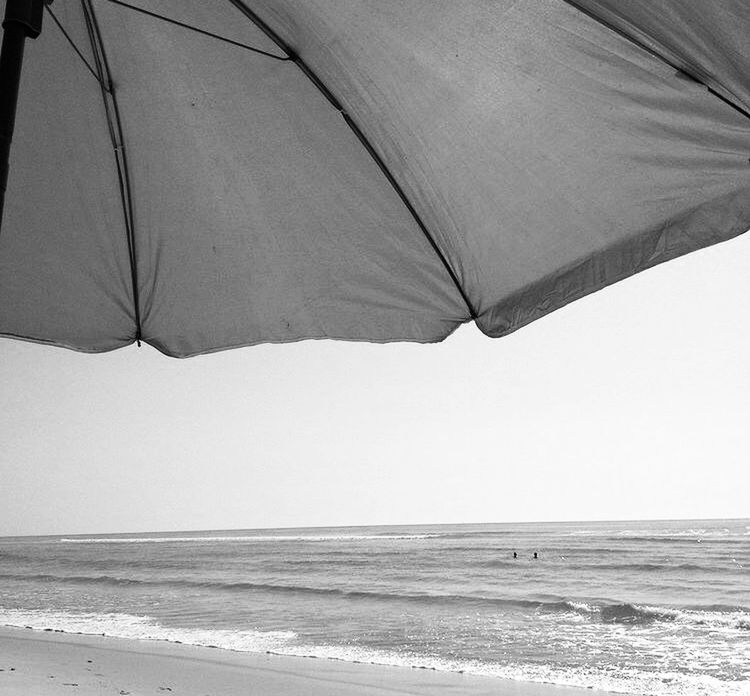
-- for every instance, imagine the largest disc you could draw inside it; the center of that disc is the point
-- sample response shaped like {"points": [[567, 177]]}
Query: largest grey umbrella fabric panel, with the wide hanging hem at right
{"points": [[549, 155]]}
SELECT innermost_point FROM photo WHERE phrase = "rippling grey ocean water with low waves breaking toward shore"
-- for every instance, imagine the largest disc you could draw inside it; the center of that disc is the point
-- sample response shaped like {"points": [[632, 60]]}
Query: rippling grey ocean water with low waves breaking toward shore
{"points": [[647, 608]]}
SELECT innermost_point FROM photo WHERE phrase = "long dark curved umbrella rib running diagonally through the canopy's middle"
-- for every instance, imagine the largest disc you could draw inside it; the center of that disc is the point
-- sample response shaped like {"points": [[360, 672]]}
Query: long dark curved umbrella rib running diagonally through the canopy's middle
{"points": [[310, 74]]}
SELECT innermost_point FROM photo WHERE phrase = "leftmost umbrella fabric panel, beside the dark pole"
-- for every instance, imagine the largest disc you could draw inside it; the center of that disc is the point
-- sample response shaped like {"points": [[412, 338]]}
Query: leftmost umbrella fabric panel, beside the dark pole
{"points": [[64, 268]]}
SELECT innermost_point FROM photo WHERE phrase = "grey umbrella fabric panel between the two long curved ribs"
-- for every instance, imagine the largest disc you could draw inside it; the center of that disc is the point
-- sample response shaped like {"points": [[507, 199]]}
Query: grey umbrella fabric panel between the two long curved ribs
{"points": [[259, 216]]}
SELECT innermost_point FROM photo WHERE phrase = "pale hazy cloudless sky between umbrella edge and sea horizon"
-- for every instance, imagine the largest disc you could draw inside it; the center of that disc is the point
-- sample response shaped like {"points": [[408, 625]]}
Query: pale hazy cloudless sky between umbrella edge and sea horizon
{"points": [[631, 403]]}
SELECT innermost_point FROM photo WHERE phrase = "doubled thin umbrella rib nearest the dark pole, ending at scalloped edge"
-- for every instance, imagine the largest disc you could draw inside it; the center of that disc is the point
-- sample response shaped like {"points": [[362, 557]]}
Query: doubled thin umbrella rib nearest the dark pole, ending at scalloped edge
{"points": [[114, 124]]}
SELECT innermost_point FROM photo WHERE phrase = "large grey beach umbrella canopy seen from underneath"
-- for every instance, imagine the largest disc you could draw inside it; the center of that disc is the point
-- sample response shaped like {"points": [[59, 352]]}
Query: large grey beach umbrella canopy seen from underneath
{"points": [[206, 174]]}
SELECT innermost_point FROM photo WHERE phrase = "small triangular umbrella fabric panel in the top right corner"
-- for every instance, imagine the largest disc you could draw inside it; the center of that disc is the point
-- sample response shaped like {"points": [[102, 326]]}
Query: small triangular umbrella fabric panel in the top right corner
{"points": [[707, 39]]}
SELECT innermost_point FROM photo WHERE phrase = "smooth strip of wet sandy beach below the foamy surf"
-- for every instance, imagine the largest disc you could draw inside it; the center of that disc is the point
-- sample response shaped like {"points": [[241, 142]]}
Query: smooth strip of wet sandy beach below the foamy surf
{"points": [[38, 663]]}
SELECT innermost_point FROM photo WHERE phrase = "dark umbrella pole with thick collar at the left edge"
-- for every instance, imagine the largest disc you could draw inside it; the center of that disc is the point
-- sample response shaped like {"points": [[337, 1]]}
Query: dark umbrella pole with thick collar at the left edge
{"points": [[23, 19]]}
